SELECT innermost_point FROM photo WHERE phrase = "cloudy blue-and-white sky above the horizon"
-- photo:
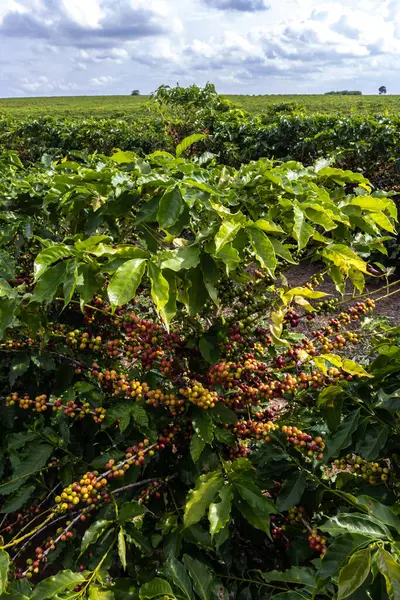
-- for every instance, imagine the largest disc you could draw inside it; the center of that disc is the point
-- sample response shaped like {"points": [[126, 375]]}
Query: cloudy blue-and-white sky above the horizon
{"points": [[72, 47]]}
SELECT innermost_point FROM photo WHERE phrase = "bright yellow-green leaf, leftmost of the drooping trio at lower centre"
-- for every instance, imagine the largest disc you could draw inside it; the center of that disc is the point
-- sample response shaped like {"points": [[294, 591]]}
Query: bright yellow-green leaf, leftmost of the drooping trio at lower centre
{"points": [[207, 487]]}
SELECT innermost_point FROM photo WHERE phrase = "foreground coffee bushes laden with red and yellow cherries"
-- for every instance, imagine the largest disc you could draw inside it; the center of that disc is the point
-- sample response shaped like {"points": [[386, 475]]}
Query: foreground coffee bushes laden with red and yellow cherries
{"points": [[179, 419]]}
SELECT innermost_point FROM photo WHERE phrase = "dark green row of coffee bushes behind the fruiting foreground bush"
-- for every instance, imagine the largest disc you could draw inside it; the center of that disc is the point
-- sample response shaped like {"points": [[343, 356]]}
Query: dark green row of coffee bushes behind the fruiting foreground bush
{"points": [[284, 131]]}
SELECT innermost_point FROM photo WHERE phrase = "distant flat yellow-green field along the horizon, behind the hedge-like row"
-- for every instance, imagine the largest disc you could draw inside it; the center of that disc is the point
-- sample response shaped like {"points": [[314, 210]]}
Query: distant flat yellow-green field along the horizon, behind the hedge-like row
{"points": [[113, 106]]}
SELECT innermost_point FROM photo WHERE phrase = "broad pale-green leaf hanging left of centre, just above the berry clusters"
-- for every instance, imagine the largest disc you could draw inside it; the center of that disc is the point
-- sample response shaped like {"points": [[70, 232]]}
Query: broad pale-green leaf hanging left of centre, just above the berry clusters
{"points": [[125, 281]]}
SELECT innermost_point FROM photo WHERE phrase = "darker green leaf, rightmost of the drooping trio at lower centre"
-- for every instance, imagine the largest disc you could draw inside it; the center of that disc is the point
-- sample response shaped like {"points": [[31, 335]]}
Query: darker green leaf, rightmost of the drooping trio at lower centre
{"points": [[253, 505]]}
